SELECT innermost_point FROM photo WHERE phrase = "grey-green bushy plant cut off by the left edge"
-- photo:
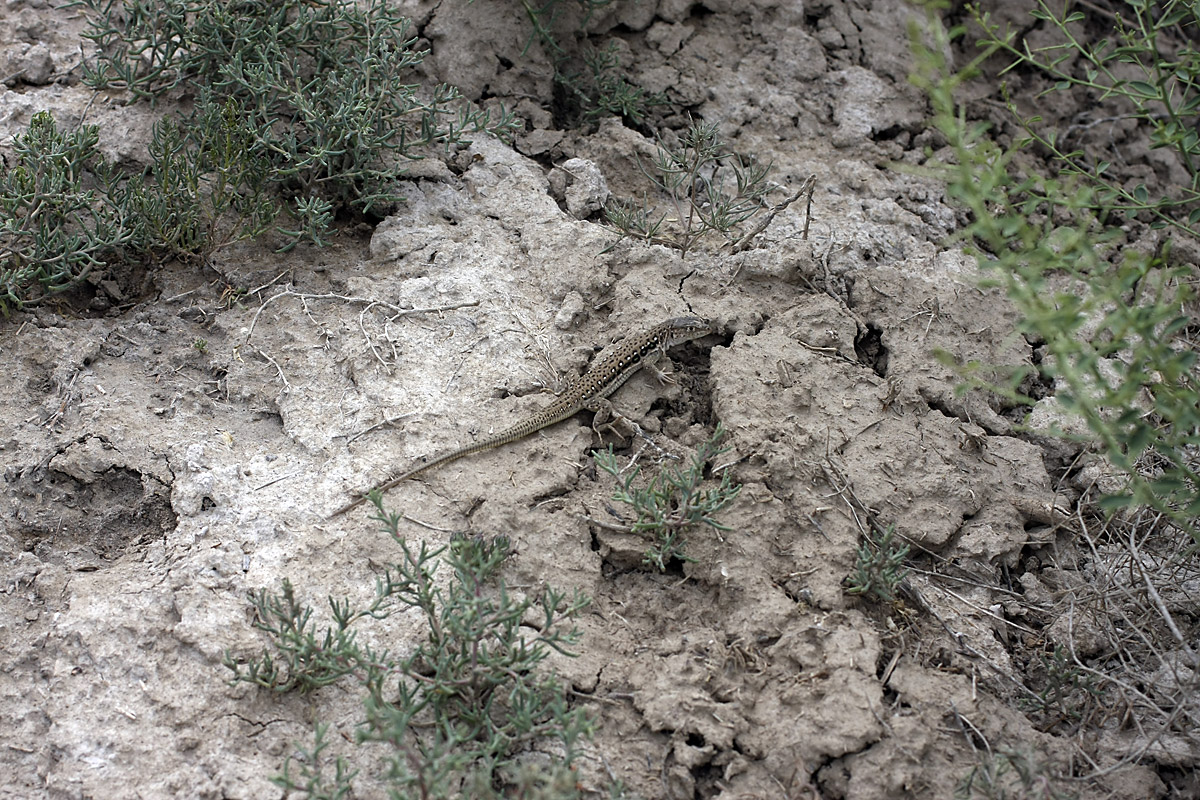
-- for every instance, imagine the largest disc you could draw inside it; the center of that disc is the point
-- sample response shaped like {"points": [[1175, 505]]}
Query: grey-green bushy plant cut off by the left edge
{"points": [[63, 213]]}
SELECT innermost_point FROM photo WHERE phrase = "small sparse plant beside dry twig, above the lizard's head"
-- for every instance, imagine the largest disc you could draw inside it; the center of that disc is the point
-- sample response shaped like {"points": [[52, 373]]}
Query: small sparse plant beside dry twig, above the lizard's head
{"points": [[709, 190]]}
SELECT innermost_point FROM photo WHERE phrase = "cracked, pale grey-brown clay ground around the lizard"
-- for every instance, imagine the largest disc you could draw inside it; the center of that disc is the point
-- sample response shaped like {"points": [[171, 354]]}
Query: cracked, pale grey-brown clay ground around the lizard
{"points": [[175, 447]]}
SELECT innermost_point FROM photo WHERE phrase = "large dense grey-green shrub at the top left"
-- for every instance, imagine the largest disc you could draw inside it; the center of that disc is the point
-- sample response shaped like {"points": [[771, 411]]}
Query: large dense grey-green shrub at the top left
{"points": [[320, 99]]}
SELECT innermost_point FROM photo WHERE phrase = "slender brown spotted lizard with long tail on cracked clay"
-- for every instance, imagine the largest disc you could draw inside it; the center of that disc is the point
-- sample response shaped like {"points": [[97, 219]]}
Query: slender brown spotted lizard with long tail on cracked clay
{"points": [[586, 394]]}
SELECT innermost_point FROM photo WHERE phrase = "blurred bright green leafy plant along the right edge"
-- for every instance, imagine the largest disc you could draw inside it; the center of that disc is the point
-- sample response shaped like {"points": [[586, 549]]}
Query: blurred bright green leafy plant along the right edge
{"points": [[1113, 322]]}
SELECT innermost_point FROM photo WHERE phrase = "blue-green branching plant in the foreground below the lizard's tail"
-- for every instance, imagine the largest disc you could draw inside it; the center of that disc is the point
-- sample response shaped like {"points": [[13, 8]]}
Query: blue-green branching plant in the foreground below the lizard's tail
{"points": [[455, 713]]}
